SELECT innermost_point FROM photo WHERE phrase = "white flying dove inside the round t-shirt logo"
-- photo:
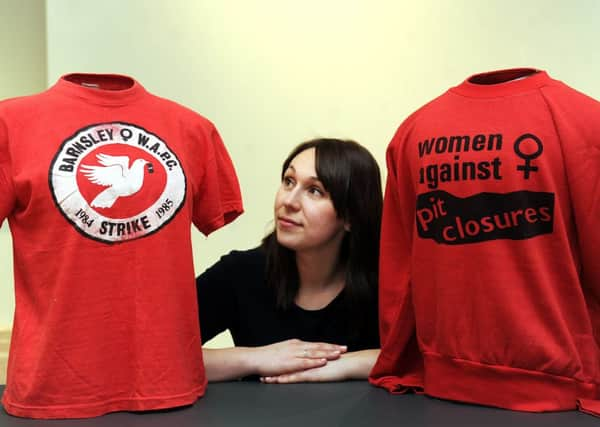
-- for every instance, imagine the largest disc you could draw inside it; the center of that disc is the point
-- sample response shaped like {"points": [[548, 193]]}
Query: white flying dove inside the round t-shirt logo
{"points": [[115, 173]]}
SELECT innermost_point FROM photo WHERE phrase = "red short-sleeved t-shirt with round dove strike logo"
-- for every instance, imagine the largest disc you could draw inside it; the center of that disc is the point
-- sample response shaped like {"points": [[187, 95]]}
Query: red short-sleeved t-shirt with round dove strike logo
{"points": [[101, 182]]}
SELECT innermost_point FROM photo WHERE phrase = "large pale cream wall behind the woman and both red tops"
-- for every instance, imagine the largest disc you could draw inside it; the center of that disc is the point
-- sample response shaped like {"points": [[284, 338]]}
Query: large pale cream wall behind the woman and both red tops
{"points": [[271, 73]]}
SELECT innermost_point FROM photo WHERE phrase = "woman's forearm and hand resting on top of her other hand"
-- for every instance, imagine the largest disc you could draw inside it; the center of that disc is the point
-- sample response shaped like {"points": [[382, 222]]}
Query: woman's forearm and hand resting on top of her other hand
{"points": [[284, 357]]}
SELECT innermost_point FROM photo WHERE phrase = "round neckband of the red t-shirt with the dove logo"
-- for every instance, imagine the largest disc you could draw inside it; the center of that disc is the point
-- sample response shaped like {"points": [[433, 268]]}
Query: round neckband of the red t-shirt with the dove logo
{"points": [[100, 89]]}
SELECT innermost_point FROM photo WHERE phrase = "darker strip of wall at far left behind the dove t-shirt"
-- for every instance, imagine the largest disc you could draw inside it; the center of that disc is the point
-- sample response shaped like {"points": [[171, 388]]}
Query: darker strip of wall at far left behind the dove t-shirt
{"points": [[22, 72]]}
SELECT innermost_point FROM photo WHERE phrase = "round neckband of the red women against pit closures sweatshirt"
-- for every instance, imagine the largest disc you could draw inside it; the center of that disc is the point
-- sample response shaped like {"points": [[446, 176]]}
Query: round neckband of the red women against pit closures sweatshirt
{"points": [[502, 83]]}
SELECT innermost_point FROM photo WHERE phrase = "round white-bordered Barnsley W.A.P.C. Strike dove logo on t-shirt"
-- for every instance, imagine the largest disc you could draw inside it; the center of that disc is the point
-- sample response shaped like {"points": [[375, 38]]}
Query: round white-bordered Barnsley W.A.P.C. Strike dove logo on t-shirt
{"points": [[116, 182]]}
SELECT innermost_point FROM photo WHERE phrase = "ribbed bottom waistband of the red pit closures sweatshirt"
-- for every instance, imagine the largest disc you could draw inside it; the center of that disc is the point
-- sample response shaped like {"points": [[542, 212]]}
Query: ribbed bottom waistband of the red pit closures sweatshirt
{"points": [[502, 386]]}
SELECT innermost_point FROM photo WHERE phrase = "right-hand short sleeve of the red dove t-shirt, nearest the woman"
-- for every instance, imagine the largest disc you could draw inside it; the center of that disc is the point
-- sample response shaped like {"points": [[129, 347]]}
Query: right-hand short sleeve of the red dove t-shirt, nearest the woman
{"points": [[217, 200]]}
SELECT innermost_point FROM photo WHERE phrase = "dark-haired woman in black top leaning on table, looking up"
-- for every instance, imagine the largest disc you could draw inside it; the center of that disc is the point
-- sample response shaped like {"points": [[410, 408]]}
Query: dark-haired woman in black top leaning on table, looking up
{"points": [[303, 305]]}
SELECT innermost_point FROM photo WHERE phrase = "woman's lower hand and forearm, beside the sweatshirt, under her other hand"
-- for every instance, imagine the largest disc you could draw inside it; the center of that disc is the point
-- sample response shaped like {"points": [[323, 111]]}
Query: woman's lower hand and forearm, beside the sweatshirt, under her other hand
{"points": [[355, 365]]}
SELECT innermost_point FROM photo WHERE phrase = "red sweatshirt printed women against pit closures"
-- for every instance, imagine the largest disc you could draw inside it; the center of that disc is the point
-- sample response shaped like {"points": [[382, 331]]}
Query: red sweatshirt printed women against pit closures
{"points": [[490, 282]]}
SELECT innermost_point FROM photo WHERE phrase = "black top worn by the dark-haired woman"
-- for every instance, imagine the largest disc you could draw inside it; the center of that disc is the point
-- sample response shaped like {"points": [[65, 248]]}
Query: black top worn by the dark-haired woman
{"points": [[233, 294]]}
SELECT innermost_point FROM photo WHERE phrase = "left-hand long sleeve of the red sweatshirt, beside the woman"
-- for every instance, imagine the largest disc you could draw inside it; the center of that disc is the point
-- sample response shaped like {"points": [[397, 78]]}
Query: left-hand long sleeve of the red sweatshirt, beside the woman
{"points": [[399, 368]]}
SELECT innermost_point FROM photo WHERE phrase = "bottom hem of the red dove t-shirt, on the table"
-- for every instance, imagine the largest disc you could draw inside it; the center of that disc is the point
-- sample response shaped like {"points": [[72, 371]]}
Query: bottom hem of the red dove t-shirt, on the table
{"points": [[100, 408]]}
